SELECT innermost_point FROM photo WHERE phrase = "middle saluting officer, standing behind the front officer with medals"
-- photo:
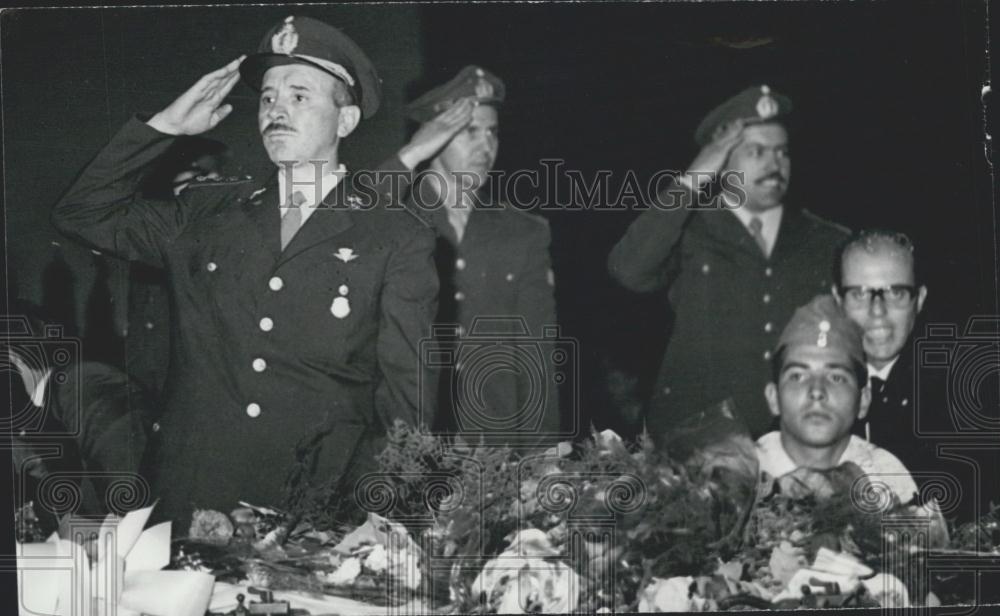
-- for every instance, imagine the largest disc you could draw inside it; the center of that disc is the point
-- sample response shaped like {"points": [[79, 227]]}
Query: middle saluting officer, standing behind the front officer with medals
{"points": [[494, 266]]}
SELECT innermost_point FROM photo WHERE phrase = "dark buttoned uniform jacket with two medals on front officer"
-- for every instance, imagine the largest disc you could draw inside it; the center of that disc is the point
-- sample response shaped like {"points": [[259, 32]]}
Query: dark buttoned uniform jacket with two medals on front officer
{"points": [[259, 360]]}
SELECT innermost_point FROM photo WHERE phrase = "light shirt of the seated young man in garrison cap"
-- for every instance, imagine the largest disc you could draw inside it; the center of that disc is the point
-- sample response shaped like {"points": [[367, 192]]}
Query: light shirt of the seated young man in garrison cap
{"points": [[880, 465]]}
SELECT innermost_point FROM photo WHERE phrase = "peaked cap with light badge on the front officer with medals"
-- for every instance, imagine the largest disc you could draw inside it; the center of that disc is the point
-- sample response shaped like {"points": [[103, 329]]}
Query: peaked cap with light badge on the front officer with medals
{"points": [[303, 40]]}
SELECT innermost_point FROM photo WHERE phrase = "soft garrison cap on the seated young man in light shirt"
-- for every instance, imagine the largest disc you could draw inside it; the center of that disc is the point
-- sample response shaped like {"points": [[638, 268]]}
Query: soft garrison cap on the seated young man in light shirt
{"points": [[823, 323]]}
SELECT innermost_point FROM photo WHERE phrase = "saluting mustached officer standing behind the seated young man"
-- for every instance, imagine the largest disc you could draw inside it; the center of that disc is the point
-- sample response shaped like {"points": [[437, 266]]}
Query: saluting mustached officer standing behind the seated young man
{"points": [[735, 271]]}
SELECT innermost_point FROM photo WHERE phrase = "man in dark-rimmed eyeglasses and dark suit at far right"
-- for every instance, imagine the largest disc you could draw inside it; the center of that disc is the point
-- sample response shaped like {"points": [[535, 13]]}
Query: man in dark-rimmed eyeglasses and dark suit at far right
{"points": [[879, 290]]}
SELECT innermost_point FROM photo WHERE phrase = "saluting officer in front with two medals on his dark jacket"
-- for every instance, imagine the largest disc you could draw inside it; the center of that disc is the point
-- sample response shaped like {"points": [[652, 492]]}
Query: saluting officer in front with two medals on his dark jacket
{"points": [[297, 316]]}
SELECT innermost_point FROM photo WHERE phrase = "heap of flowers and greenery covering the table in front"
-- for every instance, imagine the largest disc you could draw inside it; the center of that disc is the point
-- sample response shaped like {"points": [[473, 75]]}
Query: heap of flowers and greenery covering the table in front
{"points": [[597, 526]]}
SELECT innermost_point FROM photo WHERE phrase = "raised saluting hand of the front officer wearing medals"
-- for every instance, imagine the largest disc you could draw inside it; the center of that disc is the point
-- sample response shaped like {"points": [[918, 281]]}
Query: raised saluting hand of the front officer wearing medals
{"points": [[200, 109]]}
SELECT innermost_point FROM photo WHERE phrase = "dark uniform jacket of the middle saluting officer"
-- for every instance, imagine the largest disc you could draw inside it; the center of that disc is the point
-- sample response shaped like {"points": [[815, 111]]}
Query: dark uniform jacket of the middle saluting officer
{"points": [[500, 269]]}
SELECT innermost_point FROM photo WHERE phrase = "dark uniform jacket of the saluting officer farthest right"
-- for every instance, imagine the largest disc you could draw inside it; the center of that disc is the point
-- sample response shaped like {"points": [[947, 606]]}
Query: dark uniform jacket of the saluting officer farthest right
{"points": [[729, 301]]}
